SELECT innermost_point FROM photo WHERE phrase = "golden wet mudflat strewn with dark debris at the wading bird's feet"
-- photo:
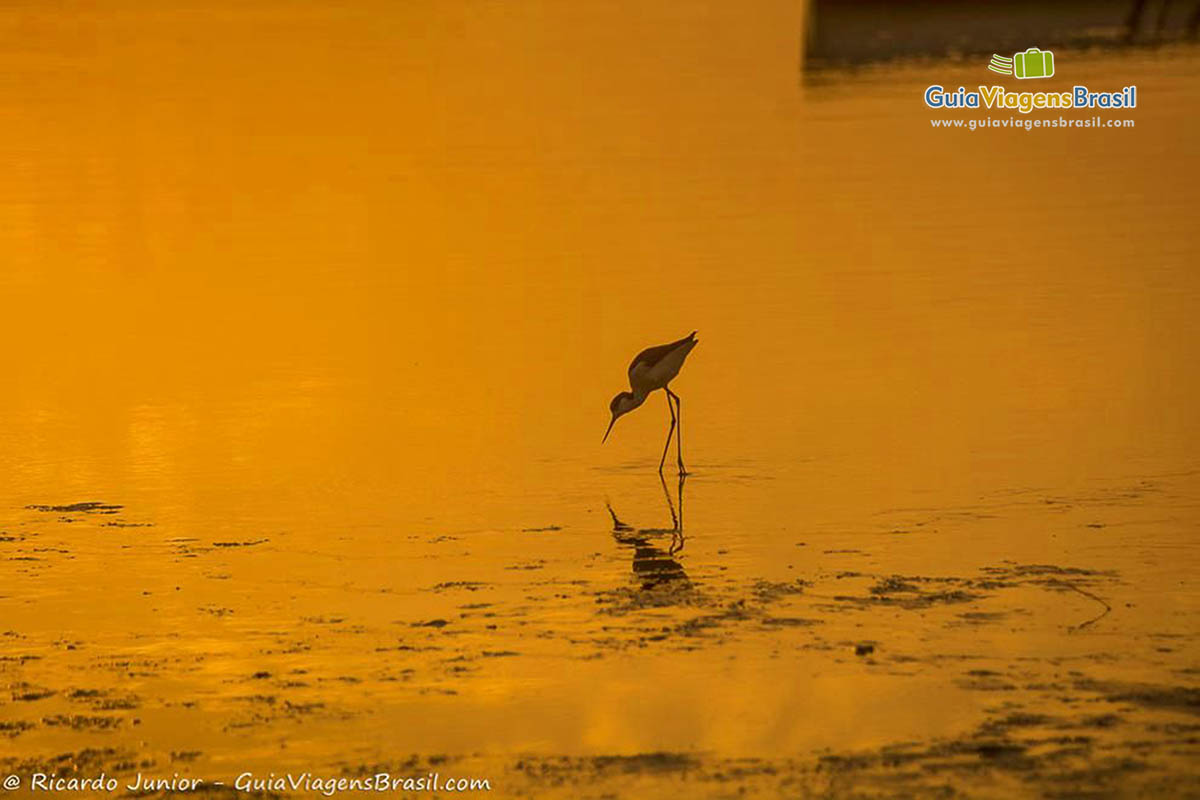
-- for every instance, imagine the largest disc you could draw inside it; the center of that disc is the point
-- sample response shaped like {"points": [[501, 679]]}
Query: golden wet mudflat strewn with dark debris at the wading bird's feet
{"points": [[590, 660]]}
